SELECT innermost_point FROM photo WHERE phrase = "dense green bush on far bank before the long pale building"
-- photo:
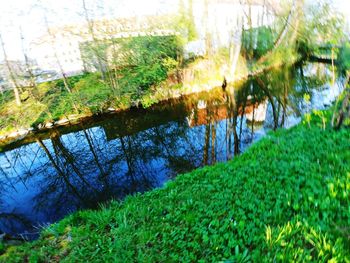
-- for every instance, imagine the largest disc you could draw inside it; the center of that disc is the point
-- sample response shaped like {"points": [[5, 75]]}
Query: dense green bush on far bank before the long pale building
{"points": [[148, 62]]}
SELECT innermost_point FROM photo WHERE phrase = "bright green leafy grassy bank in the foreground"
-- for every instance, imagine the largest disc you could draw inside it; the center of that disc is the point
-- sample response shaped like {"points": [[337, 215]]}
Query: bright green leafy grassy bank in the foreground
{"points": [[286, 199]]}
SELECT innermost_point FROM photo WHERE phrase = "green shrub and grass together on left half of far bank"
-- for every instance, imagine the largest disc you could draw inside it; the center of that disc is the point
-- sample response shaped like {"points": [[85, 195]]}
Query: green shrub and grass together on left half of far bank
{"points": [[146, 62]]}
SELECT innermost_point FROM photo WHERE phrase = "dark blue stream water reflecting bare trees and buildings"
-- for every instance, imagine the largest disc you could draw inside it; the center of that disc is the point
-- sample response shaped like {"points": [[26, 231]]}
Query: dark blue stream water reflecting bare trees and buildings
{"points": [[49, 175]]}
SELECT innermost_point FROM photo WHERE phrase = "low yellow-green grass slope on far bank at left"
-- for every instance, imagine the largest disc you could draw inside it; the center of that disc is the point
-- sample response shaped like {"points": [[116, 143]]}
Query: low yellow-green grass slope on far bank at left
{"points": [[52, 102]]}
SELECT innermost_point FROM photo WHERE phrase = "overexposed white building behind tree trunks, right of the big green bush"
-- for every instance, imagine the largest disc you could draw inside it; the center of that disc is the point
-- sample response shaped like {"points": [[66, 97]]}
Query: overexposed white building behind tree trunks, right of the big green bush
{"points": [[224, 20]]}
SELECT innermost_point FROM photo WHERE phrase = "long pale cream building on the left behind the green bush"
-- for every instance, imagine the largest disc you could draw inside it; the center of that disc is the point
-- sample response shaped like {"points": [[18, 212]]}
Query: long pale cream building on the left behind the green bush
{"points": [[60, 48]]}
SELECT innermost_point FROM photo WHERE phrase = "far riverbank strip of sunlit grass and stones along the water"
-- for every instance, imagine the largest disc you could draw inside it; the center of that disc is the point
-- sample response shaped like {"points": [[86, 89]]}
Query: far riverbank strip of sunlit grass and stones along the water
{"points": [[51, 106]]}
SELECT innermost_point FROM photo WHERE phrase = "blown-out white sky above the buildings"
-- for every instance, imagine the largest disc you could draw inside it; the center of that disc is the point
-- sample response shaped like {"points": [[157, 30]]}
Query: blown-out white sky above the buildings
{"points": [[27, 15]]}
